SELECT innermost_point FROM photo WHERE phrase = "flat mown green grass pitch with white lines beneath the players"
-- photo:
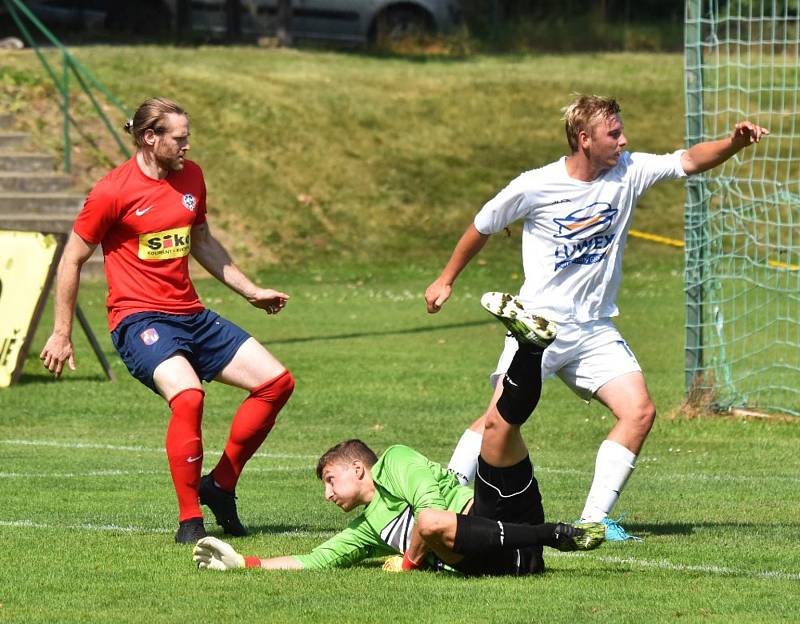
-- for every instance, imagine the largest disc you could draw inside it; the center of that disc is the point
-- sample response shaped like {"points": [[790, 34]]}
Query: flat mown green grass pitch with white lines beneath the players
{"points": [[88, 513]]}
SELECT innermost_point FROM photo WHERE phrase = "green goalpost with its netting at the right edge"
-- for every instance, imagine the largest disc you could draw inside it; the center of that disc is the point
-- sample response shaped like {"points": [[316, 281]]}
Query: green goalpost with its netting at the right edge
{"points": [[742, 275]]}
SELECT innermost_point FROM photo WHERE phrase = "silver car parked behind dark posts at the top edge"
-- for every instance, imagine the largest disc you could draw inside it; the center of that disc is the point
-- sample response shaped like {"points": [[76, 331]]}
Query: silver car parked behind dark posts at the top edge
{"points": [[355, 21]]}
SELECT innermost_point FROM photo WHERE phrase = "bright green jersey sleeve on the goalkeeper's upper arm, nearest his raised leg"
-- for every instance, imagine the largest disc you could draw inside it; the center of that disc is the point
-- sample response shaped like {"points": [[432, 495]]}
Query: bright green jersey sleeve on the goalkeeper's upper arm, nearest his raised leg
{"points": [[412, 478]]}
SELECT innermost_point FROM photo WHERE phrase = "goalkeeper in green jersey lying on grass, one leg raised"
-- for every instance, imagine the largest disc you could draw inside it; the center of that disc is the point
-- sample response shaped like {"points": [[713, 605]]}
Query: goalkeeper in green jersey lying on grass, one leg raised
{"points": [[417, 511]]}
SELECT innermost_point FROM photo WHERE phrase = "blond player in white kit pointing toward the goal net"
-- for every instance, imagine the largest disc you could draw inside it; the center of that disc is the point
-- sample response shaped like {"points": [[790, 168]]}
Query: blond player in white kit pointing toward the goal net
{"points": [[576, 213]]}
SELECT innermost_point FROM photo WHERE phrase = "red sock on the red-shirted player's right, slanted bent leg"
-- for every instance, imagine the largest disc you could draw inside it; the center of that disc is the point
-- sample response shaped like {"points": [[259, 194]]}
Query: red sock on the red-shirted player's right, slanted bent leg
{"points": [[251, 424]]}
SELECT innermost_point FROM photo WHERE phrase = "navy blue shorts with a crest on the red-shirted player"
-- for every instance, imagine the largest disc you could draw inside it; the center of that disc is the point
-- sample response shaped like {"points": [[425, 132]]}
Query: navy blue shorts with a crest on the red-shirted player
{"points": [[145, 339]]}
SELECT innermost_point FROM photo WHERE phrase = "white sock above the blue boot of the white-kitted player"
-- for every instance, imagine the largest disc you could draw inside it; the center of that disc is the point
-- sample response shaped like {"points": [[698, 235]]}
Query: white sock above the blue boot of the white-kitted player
{"points": [[612, 468]]}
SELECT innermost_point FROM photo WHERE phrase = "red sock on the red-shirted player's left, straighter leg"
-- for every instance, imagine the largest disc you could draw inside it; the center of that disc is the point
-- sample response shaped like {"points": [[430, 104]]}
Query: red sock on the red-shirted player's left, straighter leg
{"points": [[185, 450]]}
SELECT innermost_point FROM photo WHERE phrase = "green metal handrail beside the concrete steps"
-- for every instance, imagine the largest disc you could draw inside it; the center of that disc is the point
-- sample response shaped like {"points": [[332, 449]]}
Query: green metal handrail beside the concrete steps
{"points": [[69, 66]]}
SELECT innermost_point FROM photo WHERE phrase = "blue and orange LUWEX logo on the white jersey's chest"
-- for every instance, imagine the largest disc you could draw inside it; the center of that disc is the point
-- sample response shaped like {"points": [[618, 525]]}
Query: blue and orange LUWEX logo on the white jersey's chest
{"points": [[583, 234]]}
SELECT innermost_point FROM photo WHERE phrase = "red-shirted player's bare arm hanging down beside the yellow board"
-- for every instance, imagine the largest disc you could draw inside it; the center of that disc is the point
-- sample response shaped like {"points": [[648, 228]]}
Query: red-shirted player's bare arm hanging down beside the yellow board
{"points": [[58, 349]]}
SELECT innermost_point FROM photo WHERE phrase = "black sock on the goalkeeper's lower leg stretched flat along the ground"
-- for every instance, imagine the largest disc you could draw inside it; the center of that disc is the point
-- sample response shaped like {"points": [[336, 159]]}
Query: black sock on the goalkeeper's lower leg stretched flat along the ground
{"points": [[479, 536]]}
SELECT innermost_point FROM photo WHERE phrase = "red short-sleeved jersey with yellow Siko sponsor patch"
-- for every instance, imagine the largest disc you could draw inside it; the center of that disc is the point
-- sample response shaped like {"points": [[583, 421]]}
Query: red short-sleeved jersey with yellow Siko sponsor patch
{"points": [[145, 226]]}
